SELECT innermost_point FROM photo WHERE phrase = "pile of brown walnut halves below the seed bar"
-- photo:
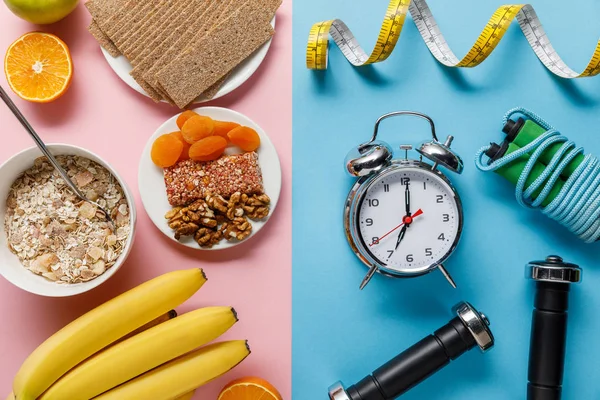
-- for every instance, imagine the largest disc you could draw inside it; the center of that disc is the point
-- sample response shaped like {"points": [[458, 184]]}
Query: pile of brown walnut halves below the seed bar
{"points": [[216, 218]]}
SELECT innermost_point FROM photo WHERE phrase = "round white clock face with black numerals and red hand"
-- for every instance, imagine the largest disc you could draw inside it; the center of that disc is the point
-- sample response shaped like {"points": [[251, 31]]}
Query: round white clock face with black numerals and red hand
{"points": [[409, 242]]}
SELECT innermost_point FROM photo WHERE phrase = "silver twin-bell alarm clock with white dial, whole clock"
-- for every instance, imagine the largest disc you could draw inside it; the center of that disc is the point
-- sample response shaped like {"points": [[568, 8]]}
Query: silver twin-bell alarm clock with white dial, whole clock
{"points": [[403, 217]]}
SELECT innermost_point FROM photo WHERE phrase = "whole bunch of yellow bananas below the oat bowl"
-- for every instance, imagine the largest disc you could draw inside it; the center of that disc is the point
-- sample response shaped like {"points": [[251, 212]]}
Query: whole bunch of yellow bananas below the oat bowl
{"points": [[132, 348]]}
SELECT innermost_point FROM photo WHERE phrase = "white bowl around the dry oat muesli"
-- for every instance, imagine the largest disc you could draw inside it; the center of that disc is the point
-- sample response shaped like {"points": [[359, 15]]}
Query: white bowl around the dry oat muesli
{"points": [[10, 266]]}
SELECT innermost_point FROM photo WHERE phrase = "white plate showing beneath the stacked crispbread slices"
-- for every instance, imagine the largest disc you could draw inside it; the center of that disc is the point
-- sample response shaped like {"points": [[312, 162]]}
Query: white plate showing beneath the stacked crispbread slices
{"points": [[239, 75]]}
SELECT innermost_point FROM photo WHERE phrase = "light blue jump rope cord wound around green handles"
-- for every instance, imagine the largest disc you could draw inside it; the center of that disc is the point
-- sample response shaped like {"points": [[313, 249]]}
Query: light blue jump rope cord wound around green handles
{"points": [[577, 205]]}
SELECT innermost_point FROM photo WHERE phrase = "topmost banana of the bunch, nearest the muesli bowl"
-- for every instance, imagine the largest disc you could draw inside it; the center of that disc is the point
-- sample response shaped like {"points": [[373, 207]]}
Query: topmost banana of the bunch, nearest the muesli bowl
{"points": [[102, 326]]}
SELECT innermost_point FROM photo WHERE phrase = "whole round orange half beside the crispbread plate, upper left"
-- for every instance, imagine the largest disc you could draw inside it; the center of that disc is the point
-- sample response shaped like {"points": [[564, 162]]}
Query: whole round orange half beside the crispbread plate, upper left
{"points": [[38, 67]]}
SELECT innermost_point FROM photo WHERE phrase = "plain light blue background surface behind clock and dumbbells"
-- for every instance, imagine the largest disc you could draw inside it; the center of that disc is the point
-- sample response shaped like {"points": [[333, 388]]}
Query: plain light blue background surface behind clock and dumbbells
{"points": [[341, 333]]}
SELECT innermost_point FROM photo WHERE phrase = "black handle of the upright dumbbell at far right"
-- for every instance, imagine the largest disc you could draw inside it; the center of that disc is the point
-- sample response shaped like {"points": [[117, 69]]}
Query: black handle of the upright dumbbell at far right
{"points": [[548, 340]]}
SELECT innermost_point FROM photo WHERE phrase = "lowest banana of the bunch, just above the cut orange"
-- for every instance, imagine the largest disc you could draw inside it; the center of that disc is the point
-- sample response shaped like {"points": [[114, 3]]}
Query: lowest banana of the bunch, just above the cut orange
{"points": [[183, 374]]}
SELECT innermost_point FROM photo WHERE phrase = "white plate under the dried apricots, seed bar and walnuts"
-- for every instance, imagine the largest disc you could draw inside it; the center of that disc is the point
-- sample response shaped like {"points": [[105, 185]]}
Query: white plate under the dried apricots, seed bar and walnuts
{"points": [[152, 184]]}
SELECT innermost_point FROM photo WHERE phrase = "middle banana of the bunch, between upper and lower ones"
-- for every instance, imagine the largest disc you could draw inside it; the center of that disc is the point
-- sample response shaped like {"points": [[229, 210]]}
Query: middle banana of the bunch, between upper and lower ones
{"points": [[141, 353]]}
